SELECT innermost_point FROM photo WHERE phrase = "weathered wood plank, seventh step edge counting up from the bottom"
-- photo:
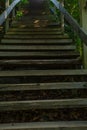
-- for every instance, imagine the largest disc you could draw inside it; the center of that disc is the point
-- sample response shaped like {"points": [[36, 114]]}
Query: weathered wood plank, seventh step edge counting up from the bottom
{"points": [[37, 47]]}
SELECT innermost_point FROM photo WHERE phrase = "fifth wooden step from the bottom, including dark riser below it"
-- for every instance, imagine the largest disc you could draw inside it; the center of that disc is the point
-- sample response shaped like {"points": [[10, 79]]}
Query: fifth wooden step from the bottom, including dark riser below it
{"points": [[28, 64]]}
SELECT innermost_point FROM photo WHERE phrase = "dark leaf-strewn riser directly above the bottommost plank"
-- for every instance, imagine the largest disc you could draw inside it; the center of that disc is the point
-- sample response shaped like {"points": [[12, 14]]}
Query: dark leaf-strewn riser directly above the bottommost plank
{"points": [[14, 116]]}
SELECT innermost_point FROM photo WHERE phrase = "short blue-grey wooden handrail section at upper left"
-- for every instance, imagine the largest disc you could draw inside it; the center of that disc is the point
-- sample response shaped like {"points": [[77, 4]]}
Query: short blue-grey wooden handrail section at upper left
{"points": [[6, 13]]}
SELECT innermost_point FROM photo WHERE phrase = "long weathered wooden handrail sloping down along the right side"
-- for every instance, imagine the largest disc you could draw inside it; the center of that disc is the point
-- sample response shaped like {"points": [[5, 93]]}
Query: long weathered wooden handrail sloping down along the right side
{"points": [[82, 34]]}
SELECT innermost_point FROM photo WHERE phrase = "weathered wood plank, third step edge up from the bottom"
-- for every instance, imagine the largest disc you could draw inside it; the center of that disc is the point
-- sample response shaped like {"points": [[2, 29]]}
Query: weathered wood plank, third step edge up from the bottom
{"points": [[43, 86]]}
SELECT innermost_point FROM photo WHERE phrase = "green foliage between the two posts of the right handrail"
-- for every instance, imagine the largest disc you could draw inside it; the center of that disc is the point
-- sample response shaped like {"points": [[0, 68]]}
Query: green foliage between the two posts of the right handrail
{"points": [[73, 8]]}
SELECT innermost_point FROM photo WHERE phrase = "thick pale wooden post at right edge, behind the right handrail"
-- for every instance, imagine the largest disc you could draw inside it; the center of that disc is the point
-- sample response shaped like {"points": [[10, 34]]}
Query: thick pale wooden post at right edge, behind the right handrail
{"points": [[83, 9]]}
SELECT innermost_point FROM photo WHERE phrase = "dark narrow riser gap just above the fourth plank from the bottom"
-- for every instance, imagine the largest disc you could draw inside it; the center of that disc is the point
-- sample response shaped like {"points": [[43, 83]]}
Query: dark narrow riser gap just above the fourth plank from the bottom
{"points": [[45, 67]]}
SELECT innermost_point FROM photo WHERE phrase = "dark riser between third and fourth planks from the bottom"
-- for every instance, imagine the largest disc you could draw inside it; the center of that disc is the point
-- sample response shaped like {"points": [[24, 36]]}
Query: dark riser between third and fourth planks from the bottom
{"points": [[41, 79]]}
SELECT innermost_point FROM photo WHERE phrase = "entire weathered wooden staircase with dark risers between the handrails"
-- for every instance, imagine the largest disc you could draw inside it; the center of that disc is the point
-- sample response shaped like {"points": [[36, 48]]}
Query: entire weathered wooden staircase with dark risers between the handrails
{"points": [[42, 85]]}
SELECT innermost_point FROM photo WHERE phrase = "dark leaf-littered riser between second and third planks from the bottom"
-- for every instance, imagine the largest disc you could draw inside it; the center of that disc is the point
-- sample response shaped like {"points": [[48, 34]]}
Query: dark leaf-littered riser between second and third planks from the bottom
{"points": [[43, 94]]}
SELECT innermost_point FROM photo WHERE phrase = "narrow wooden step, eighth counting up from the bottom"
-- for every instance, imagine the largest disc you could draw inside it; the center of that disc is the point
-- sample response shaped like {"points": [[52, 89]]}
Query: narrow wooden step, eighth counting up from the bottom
{"points": [[37, 41]]}
